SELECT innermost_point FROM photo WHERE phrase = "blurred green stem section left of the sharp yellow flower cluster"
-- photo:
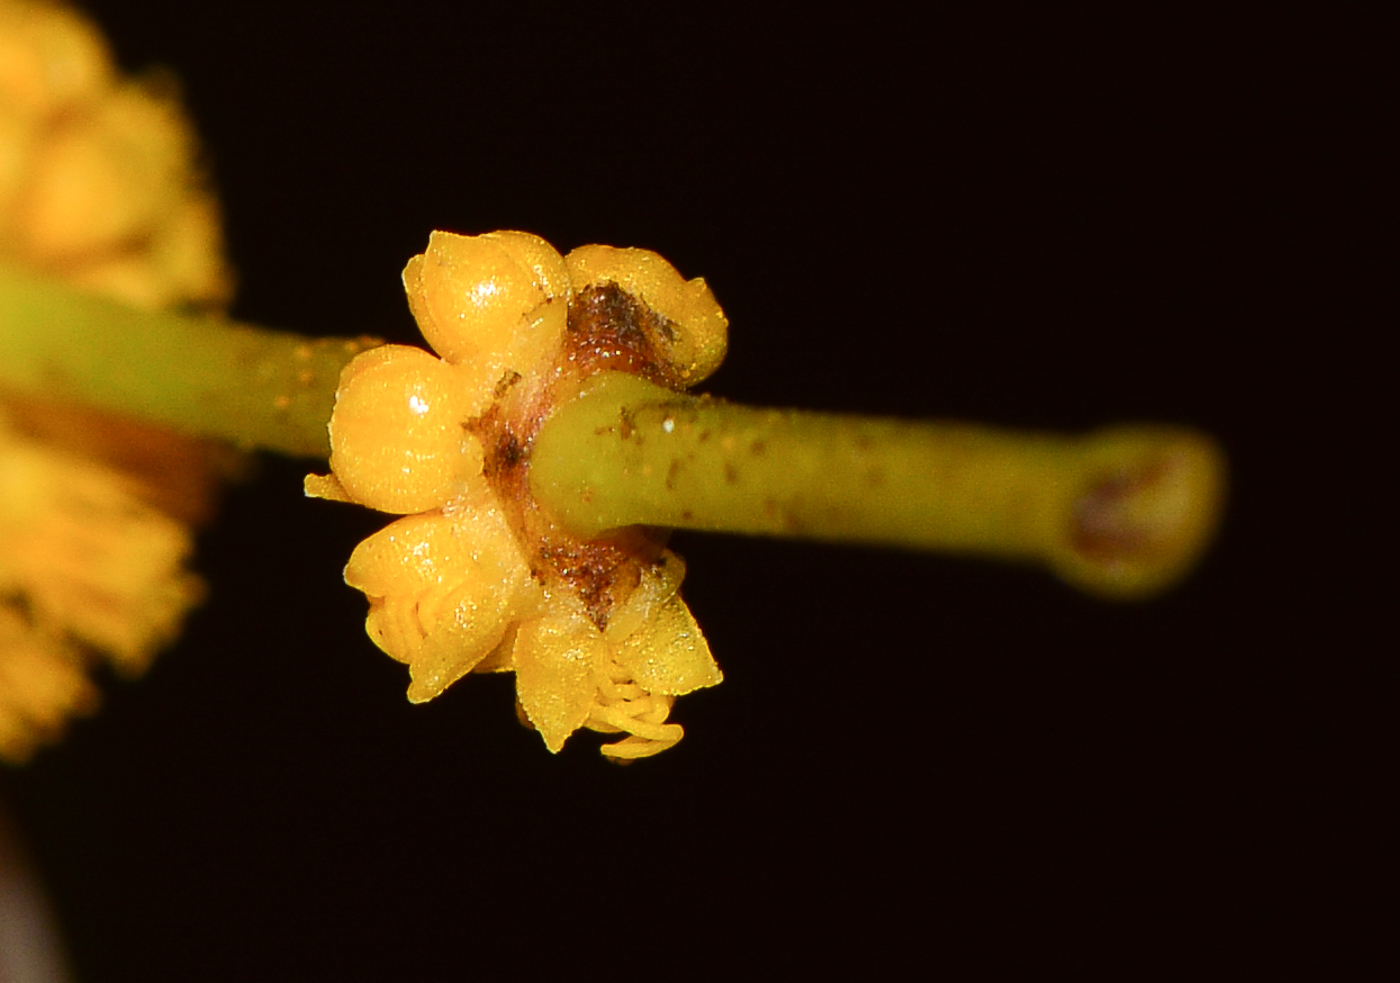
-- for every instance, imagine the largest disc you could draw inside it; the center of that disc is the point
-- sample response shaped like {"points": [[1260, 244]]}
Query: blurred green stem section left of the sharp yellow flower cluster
{"points": [[202, 376]]}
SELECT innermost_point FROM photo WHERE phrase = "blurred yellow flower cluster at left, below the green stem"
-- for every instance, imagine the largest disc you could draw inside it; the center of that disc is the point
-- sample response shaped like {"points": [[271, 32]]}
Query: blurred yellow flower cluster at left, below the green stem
{"points": [[86, 565]]}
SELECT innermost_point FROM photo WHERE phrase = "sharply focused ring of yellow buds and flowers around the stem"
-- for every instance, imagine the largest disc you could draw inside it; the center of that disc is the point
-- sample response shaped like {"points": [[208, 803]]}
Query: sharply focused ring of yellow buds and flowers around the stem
{"points": [[478, 578]]}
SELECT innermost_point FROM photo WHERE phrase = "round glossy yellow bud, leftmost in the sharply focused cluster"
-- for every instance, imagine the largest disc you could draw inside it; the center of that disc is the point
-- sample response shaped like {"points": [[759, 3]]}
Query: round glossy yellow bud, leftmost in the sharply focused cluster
{"points": [[398, 438]]}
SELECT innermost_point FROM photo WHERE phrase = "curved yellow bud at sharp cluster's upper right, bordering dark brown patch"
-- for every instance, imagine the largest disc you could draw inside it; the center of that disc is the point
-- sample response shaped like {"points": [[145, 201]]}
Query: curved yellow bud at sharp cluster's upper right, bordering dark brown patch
{"points": [[702, 330]]}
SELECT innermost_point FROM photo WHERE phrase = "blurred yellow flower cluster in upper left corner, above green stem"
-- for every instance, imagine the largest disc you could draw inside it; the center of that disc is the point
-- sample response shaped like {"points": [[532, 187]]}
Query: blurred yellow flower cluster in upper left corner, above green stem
{"points": [[97, 177]]}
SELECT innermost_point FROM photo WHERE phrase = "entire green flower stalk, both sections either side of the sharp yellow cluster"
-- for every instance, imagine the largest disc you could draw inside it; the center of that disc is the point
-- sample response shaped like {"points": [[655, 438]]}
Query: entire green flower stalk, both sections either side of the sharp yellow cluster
{"points": [[1119, 513]]}
